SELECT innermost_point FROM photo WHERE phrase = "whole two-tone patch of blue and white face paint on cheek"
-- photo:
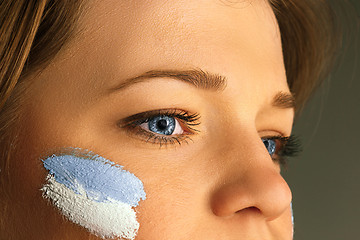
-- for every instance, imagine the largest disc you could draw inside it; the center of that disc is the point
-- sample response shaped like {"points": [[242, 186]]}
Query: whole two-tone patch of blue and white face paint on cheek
{"points": [[94, 192]]}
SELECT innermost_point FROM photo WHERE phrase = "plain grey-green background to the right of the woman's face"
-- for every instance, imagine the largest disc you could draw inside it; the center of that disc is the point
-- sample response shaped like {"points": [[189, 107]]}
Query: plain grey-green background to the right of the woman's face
{"points": [[325, 178]]}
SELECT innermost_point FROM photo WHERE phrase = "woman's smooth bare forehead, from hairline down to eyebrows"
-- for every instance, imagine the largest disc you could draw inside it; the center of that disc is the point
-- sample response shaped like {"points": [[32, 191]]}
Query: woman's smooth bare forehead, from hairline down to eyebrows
{"points": [[118, 40]]}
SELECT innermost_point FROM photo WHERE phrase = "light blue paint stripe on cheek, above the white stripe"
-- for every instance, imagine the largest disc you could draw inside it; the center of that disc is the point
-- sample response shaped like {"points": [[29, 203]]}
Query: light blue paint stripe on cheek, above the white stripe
{"points": [[100, 178]]}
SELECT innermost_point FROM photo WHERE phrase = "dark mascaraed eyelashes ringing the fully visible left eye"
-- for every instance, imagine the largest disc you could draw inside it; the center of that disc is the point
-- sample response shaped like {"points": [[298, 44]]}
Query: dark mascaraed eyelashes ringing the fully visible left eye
{"points": [[185, 119]]}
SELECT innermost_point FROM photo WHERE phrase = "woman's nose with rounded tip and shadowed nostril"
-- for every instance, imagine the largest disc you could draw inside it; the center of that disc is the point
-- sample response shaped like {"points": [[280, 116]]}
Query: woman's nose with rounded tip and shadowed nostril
{"points": [[251, 183]]}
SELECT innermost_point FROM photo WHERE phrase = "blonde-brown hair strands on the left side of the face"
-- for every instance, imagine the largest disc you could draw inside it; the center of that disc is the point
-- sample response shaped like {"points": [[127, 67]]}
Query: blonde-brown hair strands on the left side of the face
{"points": [[31, 33]]}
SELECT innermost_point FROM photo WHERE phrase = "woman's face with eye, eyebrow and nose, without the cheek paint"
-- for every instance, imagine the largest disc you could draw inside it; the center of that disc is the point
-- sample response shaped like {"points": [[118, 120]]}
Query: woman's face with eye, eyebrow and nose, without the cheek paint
{"points": [[196, 145]]}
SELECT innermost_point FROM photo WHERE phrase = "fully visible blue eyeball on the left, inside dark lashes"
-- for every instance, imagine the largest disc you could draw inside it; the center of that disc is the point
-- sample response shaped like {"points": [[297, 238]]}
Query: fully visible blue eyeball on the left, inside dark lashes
{"points": [[164, 125]]}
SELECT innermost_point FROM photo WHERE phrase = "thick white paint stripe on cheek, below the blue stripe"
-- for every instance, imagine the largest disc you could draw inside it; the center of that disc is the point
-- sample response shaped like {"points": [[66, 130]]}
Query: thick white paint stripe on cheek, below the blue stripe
{"points": [[105, 219]]}
